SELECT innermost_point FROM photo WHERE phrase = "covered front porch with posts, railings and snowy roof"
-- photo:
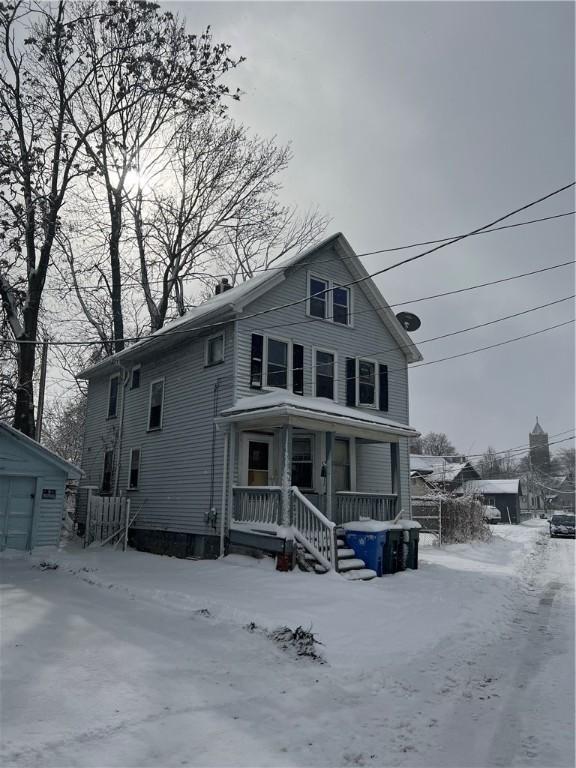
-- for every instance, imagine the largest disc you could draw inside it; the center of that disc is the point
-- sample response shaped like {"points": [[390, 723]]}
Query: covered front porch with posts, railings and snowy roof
{"points": [[292, 467]]}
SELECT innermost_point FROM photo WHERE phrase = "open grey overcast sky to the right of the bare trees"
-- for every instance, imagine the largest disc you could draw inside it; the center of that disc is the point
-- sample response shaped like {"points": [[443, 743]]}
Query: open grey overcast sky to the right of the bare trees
{"points": [[411, 121]]}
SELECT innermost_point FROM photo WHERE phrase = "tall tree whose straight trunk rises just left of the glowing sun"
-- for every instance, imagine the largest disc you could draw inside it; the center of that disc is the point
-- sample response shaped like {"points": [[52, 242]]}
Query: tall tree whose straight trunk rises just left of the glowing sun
{"points": [[155, 72]]}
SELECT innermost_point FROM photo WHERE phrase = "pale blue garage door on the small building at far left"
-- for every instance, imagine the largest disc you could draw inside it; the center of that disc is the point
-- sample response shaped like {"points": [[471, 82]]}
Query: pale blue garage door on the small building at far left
{"points": [[16, 509]]}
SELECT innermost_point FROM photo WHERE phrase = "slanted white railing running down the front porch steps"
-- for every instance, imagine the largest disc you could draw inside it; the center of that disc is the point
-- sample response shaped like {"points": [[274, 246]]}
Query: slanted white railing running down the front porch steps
{"points": [[313, 531]]}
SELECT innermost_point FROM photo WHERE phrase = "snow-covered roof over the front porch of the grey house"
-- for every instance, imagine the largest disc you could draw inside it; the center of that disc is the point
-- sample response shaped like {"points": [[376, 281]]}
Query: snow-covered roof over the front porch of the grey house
{"points": [[275, 409]]}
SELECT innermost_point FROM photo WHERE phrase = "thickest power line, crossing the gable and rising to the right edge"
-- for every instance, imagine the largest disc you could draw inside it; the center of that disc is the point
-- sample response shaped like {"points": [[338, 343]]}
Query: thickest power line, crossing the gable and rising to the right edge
{"points": [[352, 282]]}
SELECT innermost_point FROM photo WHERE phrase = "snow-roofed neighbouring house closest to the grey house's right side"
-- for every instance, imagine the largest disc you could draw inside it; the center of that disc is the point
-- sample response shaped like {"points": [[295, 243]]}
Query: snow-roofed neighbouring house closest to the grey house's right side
{"points": [[433, 474]]}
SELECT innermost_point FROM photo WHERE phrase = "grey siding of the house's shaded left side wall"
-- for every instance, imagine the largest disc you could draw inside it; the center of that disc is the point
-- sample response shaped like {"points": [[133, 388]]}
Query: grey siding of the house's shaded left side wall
{"points": [[176, 465]]}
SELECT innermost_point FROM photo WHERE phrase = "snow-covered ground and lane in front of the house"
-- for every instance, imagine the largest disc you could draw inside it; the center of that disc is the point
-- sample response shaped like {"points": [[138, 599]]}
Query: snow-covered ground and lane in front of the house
{"points": [[129, 659]]}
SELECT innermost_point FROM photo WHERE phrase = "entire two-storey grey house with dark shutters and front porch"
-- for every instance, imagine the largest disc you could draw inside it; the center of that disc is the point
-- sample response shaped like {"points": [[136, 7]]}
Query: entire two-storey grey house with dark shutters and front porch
{"points": [[292, 379]]}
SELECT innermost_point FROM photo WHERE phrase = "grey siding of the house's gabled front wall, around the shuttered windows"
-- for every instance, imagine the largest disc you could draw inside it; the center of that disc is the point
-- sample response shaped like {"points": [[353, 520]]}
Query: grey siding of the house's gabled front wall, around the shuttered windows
{"points": [[367, 337]]}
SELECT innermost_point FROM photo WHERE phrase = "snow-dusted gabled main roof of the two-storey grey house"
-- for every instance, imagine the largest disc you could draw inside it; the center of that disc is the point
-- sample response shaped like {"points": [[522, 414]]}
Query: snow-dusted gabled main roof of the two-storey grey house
{"points": [[231, 303]]}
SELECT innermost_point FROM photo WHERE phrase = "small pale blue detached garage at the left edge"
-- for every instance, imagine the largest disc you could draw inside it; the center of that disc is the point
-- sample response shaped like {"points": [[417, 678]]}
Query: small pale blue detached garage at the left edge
{"points": [[32, 491]]}
